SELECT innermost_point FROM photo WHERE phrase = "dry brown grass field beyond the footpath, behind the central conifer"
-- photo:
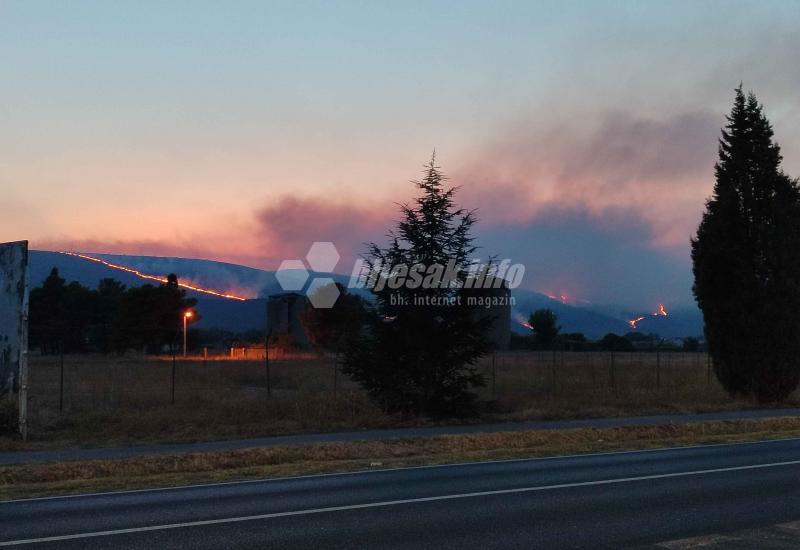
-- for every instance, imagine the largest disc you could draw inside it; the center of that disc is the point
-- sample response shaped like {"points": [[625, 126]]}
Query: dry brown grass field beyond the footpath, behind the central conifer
{"points": [[121, 400]]}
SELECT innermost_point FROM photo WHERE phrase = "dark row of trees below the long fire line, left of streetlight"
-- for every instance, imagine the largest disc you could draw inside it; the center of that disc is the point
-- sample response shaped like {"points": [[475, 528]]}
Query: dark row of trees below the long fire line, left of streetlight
{"points": [[69, 318]]}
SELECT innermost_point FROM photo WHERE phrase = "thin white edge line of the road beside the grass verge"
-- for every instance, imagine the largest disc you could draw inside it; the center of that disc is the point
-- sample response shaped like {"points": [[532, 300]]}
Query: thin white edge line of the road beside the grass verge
{"points": [[396, 469]]}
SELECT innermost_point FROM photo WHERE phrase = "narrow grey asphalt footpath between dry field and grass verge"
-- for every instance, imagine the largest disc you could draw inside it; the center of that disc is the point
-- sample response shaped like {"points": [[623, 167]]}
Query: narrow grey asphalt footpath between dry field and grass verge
{"points": [[22, 457]]}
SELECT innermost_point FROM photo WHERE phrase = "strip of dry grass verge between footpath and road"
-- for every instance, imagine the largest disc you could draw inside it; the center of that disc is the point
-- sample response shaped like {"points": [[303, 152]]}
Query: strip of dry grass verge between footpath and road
{"points": [[72, 477]]}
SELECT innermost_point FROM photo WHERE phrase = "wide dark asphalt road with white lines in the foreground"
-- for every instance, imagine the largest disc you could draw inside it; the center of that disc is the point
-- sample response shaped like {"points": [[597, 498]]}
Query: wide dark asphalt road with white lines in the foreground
{"points": [[609, 500]]}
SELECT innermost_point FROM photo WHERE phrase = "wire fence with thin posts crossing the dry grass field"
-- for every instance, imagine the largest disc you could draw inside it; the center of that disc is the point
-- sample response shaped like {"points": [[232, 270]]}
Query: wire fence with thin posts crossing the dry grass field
{"points": [[87, 382]]}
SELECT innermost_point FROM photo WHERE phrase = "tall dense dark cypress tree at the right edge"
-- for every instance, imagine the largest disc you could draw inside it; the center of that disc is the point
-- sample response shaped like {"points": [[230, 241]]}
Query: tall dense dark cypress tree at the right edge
{"points": [[747, 261]]}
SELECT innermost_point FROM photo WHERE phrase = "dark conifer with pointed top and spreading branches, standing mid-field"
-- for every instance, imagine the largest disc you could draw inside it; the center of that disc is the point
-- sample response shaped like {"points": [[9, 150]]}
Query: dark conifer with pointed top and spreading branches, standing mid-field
{"points": [[419, 352]]}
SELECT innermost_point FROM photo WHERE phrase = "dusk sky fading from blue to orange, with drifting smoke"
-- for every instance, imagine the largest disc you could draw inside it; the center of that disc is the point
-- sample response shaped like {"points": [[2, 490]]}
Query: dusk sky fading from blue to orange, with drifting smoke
{"points": [[584, 133]]}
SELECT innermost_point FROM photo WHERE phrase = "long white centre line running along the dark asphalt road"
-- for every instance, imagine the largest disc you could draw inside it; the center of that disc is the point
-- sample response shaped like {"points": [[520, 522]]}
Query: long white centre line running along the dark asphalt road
{"points": [[387, 503]]}
